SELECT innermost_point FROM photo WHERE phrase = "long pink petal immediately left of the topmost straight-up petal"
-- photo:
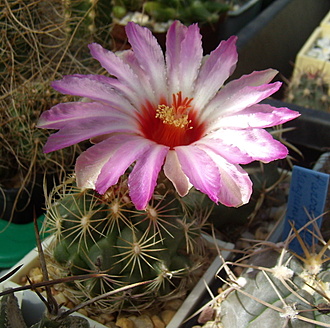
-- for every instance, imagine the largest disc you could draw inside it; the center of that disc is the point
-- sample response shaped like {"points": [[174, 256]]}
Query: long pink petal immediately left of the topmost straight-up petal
{"points": [[149, 55]]}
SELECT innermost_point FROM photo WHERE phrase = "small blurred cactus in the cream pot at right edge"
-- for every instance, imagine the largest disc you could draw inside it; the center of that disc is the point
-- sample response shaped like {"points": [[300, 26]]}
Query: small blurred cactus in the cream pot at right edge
{"points": [[309, 90]]}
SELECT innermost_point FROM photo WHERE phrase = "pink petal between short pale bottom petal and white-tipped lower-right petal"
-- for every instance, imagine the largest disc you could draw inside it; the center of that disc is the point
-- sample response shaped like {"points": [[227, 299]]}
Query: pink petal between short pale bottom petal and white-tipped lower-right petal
{"points": [[202, 172]]}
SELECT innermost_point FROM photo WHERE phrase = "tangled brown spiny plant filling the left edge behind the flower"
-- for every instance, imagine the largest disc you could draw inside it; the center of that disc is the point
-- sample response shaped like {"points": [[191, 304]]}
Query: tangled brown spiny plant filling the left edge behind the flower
{"points": [[40, 40]]}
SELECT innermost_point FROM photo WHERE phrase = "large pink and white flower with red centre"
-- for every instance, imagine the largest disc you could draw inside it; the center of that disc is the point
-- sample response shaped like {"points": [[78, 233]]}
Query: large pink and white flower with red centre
{"points": [[172, 113]]}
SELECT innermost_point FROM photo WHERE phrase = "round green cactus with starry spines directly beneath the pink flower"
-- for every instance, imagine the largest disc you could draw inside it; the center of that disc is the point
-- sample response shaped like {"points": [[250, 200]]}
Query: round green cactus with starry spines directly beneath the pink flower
{"points": [[106, 234]]}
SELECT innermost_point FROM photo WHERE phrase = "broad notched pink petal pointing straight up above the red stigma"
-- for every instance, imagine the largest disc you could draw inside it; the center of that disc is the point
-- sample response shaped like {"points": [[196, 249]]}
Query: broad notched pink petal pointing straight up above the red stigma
{"points": [[184, 53]]}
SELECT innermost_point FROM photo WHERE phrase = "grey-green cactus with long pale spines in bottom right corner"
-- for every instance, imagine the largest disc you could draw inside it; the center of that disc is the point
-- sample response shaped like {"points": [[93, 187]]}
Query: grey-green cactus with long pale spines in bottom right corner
{"points": [[279, 288]]}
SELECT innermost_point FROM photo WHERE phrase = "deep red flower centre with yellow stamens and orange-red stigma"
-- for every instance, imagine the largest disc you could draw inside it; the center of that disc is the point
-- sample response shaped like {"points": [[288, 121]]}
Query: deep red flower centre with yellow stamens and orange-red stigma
{"points": [[171, 125]]}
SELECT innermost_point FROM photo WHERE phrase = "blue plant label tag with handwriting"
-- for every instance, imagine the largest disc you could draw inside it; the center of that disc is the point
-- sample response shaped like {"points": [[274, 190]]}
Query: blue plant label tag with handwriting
{"points": [[307, 197]]}
